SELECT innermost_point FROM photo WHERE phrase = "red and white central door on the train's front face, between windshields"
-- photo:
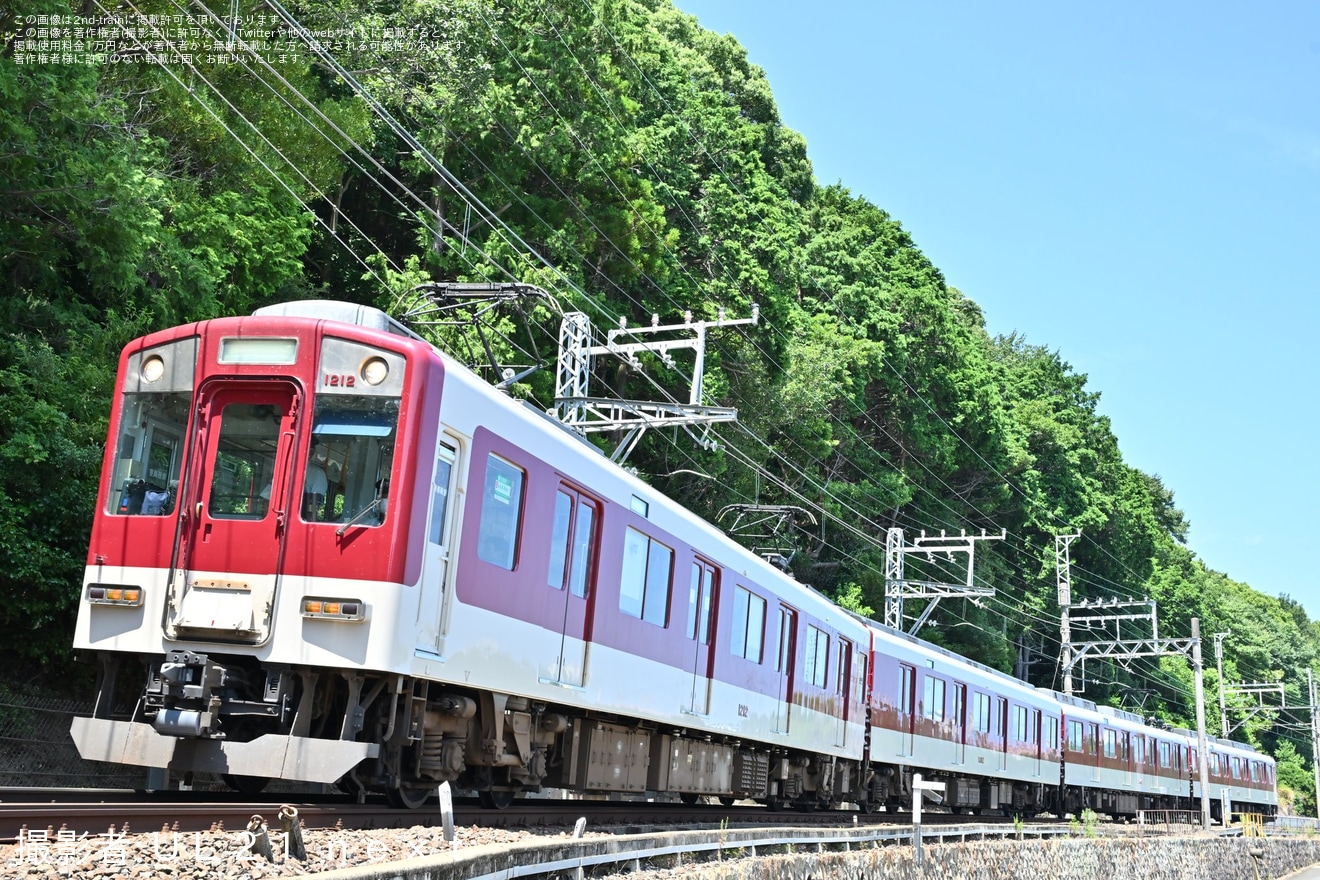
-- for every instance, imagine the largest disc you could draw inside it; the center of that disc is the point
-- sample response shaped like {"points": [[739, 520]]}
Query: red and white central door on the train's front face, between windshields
{"points": [[236, 503]]}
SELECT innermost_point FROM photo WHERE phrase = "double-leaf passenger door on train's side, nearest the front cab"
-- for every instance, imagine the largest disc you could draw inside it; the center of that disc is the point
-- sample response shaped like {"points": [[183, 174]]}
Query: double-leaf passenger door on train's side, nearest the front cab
{"points": [[572, 572]]}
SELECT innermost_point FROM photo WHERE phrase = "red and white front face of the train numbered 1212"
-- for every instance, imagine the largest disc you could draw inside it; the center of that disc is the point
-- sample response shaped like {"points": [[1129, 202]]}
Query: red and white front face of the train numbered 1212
{"points": [[246, 550]]}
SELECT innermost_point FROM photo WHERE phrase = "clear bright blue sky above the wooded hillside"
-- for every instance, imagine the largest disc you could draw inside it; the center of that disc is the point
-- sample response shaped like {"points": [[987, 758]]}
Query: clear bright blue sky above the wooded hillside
{"points": [[1136, 188]]}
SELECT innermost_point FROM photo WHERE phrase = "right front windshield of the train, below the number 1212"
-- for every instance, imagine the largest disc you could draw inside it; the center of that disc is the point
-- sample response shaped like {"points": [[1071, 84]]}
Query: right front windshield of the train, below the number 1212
{"points": [[349, 460]]}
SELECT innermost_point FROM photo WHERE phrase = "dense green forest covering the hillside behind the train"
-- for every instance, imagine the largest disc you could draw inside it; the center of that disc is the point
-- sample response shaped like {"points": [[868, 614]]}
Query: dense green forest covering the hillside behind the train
{"points": [[629, 163]]}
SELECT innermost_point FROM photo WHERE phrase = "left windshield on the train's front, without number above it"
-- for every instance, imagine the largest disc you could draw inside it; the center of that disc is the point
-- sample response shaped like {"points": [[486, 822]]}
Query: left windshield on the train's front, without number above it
{"points": [[150, 453]]}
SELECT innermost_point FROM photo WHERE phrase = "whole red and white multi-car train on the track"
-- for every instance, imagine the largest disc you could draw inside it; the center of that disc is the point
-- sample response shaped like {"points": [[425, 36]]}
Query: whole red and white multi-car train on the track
{"points": [[331, 553]]}
